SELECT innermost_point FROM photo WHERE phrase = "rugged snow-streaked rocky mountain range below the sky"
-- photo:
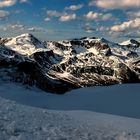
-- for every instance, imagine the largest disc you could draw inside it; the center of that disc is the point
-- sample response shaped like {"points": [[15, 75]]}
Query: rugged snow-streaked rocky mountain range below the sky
{"points": [[59, 66]]}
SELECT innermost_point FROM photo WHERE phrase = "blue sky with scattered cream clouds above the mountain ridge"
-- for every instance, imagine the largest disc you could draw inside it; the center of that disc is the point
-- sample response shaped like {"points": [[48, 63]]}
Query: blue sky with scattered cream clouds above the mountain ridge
{"points": [[115, 20]]}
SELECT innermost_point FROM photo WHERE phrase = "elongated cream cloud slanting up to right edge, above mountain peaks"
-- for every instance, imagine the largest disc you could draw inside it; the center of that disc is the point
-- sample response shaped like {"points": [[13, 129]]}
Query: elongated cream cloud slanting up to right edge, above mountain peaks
{"points": [[131, 24]]}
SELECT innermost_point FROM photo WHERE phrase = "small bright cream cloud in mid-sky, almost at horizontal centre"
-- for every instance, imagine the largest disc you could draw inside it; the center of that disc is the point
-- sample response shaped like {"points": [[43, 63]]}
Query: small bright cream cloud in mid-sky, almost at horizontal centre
{"points": [[67, 17]]}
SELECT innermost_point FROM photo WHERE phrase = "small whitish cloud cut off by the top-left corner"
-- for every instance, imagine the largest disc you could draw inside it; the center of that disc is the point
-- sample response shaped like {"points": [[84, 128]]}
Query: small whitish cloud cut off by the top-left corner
{"points": [[7, 3]]}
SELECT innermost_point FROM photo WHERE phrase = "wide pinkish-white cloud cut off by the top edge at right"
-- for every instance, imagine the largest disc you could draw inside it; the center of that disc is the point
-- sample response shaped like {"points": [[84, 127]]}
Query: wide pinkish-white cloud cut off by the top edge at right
{"points": [[113, 4]]}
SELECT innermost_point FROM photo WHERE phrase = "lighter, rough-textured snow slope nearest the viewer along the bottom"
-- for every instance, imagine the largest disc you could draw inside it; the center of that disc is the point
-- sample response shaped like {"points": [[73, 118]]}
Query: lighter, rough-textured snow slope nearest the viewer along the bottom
{"points": [[20, 122]]}
